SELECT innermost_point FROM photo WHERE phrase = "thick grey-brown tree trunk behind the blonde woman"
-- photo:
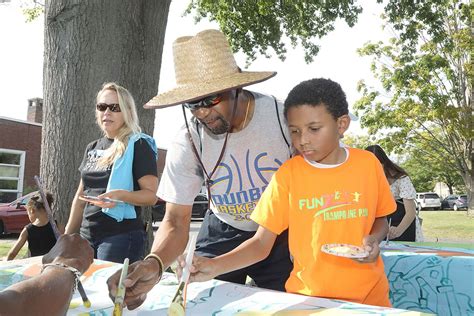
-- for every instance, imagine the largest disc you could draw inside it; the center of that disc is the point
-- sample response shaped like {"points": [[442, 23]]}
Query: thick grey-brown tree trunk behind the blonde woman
{"points": [[88, 43]]}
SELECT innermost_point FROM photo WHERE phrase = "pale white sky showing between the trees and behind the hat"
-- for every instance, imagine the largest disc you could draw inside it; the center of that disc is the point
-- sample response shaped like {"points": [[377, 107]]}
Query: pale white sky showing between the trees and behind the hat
{"points": [[21, 62]]}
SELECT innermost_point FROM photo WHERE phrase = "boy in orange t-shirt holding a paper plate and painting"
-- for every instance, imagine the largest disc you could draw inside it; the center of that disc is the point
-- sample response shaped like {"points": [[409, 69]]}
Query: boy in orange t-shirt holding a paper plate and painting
{"points": [[326, 194]]}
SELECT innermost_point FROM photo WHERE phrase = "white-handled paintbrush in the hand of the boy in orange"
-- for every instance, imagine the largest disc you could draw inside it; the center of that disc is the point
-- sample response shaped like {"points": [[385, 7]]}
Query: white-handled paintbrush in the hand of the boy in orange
{"points": [[178, 304]]}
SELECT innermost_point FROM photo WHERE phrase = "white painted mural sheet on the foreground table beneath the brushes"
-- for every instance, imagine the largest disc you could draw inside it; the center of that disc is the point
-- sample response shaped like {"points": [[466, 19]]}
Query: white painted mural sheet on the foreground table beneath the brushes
{"points": [[208, 298]]}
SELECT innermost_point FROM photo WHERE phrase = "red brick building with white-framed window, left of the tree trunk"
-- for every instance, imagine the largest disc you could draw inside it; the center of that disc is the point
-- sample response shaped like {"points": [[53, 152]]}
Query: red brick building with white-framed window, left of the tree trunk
{"points": [[20, 152]]}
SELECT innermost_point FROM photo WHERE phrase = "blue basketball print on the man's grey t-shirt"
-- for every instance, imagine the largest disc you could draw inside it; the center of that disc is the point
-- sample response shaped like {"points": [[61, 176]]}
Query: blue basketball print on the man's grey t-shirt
{"points": [[242, 186]]}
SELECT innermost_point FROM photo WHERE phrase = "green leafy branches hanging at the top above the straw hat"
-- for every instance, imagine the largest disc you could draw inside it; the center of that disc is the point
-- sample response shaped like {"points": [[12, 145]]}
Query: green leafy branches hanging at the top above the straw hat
{"points": [[257, 26]]}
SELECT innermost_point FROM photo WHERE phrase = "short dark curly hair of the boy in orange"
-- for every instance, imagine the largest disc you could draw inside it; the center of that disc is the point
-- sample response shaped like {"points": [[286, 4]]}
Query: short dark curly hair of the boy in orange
{"points": [[316, 92]]}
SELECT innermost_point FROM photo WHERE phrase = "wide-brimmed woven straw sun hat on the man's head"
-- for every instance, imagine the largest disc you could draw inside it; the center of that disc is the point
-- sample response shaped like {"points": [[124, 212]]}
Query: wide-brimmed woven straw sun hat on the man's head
{"points": [[204, 65]]}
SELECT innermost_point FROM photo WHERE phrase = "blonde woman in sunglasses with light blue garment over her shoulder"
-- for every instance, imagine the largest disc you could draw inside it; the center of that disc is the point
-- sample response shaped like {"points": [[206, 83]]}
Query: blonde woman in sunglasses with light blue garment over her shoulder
{"points": [[118, 176]]}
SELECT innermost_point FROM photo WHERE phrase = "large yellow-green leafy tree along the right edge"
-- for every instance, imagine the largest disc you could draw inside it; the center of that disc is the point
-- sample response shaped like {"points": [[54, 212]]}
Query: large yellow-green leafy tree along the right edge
{"points": [[425, 100]]}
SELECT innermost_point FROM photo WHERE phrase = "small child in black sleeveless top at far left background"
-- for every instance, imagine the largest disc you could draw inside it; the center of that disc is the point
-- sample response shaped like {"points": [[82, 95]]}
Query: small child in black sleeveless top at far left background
{"points": [[38, 233]]}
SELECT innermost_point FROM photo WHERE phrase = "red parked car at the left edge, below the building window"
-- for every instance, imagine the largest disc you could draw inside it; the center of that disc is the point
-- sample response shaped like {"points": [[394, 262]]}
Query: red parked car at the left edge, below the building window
{"points": [[13, 216]]}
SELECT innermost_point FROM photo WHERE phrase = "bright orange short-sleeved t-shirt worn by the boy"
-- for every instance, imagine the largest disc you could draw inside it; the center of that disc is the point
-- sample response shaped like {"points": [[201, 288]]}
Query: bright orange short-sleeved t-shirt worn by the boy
{"points": [[334, 205]]}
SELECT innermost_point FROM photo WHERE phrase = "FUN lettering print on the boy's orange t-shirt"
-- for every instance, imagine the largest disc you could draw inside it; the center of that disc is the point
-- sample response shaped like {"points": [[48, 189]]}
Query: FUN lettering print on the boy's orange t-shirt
{"points": [[335, 206]]}
